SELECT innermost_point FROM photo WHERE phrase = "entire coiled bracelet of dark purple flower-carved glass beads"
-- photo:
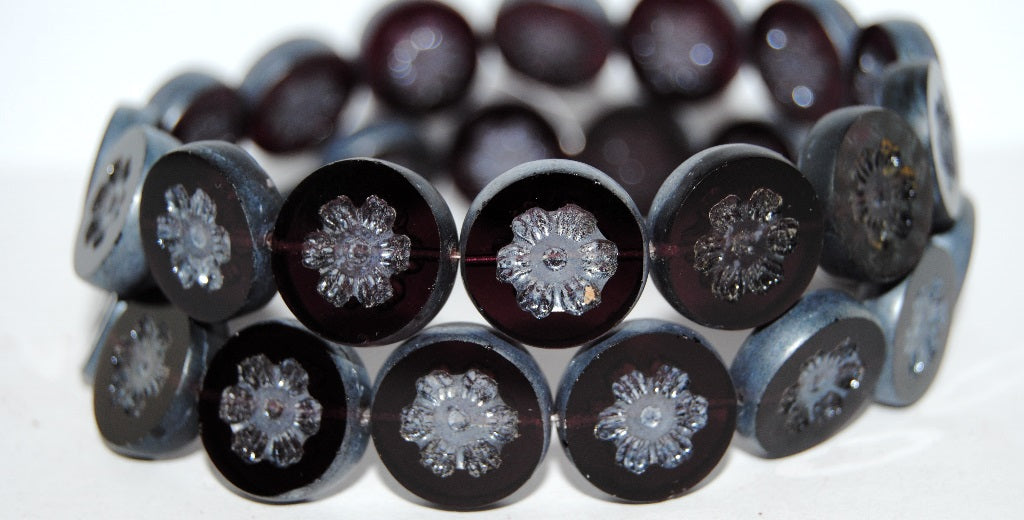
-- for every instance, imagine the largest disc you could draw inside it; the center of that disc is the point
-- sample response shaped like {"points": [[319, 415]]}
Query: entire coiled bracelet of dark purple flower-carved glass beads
{"points": [[190, 232]]}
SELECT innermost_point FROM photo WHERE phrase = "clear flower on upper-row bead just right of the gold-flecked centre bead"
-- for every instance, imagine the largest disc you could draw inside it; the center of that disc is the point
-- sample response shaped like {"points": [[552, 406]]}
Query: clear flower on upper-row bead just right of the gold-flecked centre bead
{"points": [[748, 243]]}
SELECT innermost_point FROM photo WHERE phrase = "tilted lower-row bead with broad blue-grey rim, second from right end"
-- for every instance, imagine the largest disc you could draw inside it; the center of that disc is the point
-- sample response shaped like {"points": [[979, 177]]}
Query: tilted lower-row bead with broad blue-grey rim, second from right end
{"points": [[807, 375]]}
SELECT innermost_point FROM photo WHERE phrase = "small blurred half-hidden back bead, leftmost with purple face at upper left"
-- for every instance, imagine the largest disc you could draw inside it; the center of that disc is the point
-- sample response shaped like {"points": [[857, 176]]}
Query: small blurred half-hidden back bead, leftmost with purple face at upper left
{"points": [[196, 107]]}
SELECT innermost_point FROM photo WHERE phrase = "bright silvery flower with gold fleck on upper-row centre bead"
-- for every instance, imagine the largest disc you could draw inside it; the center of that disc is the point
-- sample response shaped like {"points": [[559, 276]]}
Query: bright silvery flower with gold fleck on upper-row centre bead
{"points": [[559, 262]]}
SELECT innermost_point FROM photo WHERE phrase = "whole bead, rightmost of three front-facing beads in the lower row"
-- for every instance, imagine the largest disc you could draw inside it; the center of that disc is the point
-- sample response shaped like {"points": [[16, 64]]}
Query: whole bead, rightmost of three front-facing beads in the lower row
{"points": [[648, 412]]}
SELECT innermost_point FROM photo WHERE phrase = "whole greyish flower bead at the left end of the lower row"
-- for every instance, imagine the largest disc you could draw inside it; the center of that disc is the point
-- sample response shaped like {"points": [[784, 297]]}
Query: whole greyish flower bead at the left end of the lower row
{"points": [[146, 386]]}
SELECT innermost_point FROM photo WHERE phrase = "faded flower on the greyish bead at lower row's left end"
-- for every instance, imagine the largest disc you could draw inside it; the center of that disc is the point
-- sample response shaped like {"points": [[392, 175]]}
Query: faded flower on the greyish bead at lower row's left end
{"points": [[140, 371]]}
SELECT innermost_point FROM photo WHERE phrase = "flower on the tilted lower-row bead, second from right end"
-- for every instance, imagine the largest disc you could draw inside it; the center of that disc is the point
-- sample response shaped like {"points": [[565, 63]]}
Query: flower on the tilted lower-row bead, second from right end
{"points": [[825, 381]]}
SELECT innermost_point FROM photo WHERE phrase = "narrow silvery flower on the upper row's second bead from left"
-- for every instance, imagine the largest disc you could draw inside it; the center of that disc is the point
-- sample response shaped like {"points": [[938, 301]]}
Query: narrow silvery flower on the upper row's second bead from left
{"points": [[189, 232]]}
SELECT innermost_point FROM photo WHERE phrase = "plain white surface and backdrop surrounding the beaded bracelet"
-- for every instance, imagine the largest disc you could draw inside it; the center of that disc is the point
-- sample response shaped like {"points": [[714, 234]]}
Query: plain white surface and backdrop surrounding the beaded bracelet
{"points": [[957, 454]]}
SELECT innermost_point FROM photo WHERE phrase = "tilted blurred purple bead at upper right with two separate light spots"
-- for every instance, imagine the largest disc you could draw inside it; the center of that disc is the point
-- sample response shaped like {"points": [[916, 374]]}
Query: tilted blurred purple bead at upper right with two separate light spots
{"points": [[804, 50]]}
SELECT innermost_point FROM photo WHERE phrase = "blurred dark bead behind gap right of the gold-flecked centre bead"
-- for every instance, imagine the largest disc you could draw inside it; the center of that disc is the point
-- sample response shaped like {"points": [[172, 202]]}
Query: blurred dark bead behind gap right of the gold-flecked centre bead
{"points": [[638, 148]]}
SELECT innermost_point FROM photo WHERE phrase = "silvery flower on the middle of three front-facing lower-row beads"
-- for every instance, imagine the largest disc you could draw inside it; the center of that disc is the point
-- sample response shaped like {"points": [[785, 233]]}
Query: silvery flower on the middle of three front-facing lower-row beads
{"points": [[459, 422]]}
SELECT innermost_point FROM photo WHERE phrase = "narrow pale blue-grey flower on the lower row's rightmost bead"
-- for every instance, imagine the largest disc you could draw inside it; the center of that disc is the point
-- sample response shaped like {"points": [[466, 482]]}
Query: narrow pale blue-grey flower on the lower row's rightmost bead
{"points": [[924, 335]]}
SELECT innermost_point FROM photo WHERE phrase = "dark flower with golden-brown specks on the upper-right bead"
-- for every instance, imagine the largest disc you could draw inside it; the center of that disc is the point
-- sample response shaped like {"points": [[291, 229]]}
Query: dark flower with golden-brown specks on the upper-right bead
{"points": [[886, 189]]}
